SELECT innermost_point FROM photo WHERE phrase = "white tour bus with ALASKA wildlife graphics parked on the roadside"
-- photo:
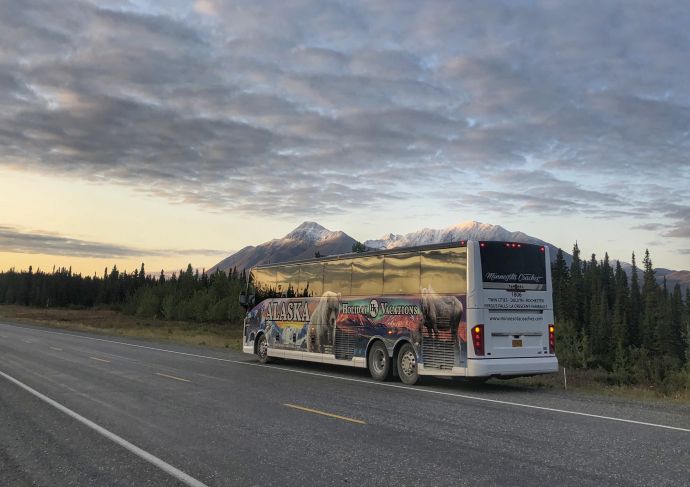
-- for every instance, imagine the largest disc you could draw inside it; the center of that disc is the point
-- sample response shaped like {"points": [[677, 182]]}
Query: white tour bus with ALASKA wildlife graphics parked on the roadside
{"points": [[466, 309]]}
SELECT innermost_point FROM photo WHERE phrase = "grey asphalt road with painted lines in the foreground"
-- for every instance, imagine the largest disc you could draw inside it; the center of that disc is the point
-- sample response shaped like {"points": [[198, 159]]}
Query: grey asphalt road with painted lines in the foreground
{"points": [[221, 419]]}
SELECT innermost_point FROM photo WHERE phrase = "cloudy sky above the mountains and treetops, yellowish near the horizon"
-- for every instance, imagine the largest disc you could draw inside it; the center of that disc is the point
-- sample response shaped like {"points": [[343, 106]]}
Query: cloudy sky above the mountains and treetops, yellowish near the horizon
{"points": [[180, 131]]}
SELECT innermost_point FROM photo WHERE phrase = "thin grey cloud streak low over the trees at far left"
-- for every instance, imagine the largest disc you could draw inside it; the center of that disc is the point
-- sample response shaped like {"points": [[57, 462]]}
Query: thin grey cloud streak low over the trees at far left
{"points": [[27, 242]]}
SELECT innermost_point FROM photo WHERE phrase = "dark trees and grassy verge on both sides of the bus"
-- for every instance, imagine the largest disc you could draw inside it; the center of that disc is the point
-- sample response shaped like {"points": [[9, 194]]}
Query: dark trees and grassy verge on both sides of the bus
{"points": [[619, 335]]}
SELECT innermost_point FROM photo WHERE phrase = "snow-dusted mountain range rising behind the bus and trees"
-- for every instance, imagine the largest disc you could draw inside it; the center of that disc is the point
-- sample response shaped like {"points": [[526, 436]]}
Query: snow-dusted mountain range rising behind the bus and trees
{"points": [[310, 237]]}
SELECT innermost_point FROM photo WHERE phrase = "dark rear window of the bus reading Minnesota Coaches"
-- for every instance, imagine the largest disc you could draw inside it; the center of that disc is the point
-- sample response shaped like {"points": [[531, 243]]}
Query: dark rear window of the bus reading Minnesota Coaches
{"points": [[505, 266]]}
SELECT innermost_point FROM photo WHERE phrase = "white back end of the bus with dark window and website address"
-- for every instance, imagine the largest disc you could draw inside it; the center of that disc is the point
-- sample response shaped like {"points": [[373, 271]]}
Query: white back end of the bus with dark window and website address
{"points": [[513, 299]]}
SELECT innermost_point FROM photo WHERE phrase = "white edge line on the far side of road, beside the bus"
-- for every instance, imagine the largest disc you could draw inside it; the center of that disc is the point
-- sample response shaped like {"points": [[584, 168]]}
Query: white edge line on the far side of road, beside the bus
{"points": [[382, 384]]}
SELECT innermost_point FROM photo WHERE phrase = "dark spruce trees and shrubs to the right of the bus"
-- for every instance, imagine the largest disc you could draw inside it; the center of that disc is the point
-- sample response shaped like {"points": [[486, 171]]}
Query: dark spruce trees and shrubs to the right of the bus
{"points": [[621, 333]]}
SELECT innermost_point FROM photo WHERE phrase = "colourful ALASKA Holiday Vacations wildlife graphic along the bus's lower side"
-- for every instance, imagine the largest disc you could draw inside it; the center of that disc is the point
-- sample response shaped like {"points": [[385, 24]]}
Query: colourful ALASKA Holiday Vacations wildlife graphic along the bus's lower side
{"points": [[313, 324]]}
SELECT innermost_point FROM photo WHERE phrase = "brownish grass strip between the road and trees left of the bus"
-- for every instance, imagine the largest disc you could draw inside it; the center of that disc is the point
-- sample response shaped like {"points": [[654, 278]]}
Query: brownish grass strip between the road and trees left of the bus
{"points": [[110, 322]]}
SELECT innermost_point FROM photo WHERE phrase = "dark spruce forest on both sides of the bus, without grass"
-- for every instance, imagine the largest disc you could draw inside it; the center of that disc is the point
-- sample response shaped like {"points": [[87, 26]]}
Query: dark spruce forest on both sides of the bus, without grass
{"points": [[635, 330]]}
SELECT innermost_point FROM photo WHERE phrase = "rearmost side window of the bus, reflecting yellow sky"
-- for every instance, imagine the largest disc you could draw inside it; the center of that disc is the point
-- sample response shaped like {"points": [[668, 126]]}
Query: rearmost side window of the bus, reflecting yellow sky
{"points": [[445, 270]]}
